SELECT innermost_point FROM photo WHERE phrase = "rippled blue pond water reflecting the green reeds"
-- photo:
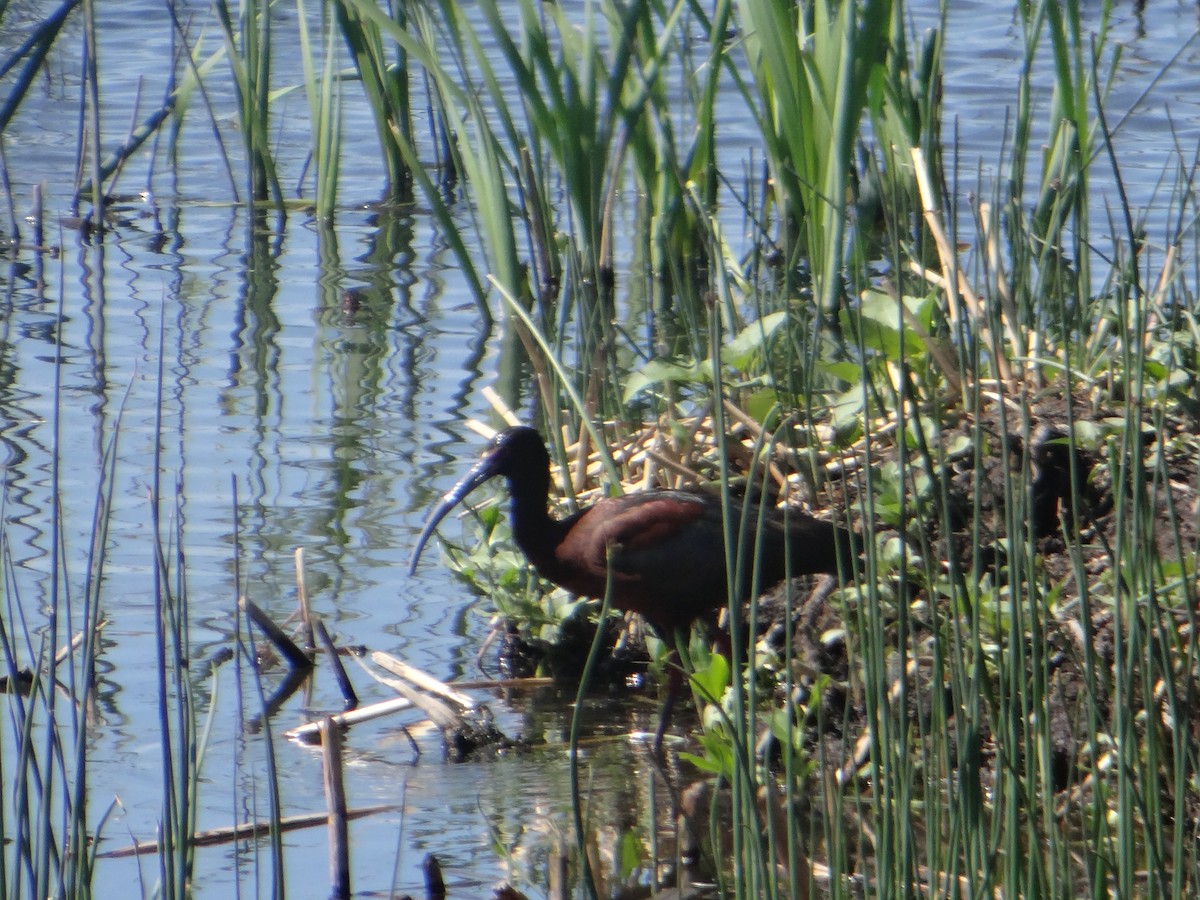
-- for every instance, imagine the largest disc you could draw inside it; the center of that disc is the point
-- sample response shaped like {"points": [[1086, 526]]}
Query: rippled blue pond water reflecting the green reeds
{"points": [[338, 434]]}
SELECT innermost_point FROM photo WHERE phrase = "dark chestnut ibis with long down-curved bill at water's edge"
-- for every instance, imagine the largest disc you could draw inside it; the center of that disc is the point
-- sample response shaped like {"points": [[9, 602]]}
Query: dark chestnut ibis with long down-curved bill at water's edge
{"points": [[665, 549]]}
